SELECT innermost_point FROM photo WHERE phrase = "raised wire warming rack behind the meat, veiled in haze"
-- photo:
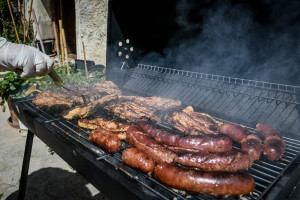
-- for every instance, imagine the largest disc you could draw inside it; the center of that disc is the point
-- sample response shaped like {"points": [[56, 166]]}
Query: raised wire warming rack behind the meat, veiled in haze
{"points": [[239, 100]]}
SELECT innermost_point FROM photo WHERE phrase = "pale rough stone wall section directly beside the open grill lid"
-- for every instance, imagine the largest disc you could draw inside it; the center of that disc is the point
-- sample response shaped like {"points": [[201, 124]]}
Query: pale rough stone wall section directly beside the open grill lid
{"points": [[91, 26]]}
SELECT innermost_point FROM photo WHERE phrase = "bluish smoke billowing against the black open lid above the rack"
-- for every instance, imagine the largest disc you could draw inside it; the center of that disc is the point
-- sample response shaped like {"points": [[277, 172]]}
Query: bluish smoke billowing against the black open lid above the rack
{"points": [[247, 39]]}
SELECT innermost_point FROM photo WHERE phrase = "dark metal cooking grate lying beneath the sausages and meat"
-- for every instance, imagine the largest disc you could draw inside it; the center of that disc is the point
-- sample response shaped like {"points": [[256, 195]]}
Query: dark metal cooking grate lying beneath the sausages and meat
{"points": [[265, 173]]}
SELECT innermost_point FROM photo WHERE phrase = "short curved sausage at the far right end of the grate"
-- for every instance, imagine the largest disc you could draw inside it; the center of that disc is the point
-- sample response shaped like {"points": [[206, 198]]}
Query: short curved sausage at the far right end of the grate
{"points": [[274, 144]]}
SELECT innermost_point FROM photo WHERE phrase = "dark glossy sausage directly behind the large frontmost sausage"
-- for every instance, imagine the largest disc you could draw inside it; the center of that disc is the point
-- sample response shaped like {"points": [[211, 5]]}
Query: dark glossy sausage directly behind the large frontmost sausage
{"points": [[229, 161]]}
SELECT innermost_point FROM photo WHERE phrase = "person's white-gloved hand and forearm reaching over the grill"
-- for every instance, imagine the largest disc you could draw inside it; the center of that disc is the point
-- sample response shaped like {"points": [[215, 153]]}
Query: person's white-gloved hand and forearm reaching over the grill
{"points": [[24, 60]]}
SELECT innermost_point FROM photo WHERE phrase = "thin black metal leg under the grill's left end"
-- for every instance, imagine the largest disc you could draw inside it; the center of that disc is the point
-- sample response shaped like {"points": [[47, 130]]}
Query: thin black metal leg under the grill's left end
{"points": [[25, 166]]}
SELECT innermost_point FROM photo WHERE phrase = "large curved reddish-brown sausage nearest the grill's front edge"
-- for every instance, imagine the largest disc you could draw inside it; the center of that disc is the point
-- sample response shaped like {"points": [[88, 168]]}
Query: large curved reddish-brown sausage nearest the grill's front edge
{"points": [[212, 183]]}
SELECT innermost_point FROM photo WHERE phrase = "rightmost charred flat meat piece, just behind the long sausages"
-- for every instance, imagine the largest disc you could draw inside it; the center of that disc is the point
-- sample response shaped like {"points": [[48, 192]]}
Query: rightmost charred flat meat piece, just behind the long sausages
{"points": [[192, 123]]}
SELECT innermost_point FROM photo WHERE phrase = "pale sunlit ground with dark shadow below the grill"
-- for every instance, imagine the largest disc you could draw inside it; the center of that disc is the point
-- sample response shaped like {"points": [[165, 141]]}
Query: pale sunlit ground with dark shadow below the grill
{"points": [[49, 176]]}
